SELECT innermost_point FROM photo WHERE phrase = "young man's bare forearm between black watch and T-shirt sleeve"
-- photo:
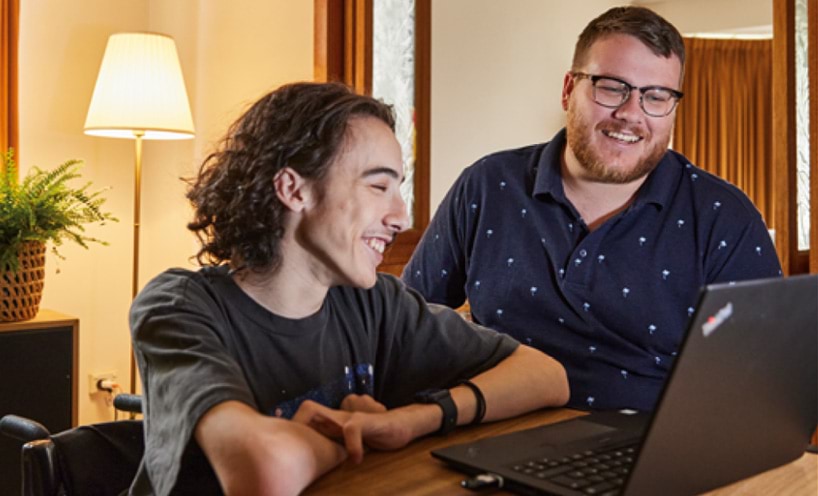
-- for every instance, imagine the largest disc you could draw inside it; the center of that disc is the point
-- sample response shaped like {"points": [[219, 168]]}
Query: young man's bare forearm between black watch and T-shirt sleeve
{"points": [[526, 380]]}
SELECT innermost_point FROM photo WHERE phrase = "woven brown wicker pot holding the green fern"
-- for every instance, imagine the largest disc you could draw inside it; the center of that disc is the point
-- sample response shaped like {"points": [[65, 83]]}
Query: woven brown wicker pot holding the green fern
{"points": [[21, 291]]}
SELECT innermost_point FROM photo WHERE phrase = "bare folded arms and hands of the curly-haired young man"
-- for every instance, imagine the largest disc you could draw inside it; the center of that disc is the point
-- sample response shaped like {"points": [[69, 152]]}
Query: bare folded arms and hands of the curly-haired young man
{"points": [[255, 454]]}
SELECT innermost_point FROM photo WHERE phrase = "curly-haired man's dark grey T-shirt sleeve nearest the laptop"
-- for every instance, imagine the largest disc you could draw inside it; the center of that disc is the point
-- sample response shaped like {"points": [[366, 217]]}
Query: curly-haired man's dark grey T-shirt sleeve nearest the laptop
{"points": [[431, 346]]}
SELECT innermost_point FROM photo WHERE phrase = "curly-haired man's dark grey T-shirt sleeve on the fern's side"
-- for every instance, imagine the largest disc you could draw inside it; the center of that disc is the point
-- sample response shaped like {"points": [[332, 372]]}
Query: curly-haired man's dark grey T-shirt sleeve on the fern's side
{"points": [[184, 367]]}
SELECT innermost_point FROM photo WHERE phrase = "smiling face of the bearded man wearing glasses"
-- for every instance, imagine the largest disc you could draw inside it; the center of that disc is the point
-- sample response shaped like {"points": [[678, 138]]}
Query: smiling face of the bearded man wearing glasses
{"points": [[617, 145]]}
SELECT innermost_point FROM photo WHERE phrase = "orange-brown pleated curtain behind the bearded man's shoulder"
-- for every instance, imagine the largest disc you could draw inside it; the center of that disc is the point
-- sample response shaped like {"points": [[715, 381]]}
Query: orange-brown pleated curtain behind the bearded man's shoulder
{"points": [[724, 121]]}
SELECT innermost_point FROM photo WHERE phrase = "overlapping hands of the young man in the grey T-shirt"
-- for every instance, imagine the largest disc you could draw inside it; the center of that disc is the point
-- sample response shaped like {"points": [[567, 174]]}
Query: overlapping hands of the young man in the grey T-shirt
{"points": [[386, 430]]}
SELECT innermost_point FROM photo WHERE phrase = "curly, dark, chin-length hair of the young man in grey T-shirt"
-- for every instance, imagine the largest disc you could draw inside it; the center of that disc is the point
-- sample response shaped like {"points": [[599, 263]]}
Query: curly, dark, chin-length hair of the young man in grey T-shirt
{"points": [[238, 217]]}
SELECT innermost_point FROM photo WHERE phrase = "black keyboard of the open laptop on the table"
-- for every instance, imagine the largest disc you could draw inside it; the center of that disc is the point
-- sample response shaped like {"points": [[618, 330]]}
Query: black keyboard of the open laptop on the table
{"points": [[591, 472]]}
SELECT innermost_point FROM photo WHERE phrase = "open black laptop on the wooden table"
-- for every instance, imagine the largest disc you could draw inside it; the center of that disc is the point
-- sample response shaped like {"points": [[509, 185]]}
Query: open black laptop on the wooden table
{"points": [[741, 398]]}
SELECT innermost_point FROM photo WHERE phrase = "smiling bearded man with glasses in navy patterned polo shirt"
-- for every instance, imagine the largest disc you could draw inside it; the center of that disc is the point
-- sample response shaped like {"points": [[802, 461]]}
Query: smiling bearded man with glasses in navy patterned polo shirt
{"points": [[593, 247]]}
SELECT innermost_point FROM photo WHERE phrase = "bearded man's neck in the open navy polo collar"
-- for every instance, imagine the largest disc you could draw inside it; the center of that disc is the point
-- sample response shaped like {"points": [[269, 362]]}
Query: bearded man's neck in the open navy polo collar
{"points": [[595, 201]]}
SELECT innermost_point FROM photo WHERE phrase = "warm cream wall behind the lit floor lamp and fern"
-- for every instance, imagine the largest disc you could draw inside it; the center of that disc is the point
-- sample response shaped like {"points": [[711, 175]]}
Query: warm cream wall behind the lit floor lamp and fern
{"points": [[231, 53]]}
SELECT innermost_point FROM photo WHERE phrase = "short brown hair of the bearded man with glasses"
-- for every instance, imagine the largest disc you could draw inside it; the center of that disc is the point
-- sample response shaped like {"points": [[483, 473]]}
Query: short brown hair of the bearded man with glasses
{"points": [[642, 23]]}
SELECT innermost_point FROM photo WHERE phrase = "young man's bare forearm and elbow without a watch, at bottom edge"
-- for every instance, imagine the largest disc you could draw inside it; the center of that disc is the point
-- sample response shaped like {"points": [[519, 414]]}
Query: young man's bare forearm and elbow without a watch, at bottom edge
{"points": [[255, 454]]}
